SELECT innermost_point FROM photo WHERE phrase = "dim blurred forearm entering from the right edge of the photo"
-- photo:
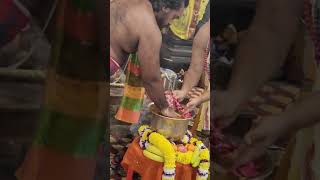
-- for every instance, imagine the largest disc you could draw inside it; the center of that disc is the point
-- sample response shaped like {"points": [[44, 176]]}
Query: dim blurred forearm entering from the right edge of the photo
{"points": [[303, 114]]}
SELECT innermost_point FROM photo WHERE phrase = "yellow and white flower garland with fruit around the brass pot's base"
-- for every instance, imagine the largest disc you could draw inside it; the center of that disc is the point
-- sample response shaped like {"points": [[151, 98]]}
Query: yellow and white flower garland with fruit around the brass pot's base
{"points": [[188, 151]]}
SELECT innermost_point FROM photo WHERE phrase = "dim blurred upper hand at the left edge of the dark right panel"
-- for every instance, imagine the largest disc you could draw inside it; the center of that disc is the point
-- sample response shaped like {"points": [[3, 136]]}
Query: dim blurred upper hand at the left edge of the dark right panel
{"points": [[226, 108]]}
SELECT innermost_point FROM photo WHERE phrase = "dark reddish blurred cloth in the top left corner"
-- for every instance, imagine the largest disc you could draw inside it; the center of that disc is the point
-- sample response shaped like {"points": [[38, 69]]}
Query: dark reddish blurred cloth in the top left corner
{"points": [[12, 21]]}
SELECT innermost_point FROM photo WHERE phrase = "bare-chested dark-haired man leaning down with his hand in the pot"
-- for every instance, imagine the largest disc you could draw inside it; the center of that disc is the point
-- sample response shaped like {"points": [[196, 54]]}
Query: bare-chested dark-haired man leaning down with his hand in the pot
{"points": [[135, 28]]}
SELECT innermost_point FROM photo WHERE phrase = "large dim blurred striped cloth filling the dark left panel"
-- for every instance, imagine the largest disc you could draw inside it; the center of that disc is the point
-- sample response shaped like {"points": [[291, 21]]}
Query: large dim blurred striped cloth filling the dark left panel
{"points": [[72, 116]]}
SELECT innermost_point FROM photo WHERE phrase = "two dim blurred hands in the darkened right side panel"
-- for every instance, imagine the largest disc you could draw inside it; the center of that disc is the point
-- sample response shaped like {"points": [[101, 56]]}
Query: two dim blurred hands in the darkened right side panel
{"points": [[225, 109]]}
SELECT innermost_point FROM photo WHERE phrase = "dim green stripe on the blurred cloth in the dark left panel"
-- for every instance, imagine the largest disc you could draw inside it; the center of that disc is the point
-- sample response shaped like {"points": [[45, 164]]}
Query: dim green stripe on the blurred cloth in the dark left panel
{"points": [[77, 136]]}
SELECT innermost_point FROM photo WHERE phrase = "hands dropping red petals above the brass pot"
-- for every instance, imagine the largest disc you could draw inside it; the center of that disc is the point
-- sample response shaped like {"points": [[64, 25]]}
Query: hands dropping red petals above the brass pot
{"points": [[194, 101]]}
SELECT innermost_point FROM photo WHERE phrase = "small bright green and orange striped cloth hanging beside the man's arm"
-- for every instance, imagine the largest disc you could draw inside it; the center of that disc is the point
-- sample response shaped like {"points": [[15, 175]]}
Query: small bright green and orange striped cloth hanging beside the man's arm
{"points": [[132, 100]]}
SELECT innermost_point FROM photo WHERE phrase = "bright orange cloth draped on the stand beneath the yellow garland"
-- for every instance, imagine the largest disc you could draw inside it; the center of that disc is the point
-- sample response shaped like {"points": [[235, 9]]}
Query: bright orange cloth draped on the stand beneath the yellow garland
{"points": [[149, 169]]}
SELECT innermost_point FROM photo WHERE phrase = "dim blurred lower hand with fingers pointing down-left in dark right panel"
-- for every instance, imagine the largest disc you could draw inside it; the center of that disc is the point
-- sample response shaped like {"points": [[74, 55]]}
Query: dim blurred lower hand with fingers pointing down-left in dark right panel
{"points": [[259, 138]]}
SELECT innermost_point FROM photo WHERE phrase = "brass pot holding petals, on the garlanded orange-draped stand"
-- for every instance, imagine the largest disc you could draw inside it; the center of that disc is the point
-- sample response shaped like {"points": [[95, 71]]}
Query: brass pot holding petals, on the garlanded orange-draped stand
{"points": [[171, 128]]}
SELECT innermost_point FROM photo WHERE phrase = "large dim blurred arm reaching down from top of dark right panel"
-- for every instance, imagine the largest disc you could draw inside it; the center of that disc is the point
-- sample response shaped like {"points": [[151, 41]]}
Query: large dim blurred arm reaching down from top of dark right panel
{"points": [[265, 47]]}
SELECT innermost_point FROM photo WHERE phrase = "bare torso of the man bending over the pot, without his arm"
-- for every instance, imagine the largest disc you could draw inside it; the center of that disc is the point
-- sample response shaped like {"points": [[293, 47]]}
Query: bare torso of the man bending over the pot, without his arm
{"points": [[124, 35]]}
